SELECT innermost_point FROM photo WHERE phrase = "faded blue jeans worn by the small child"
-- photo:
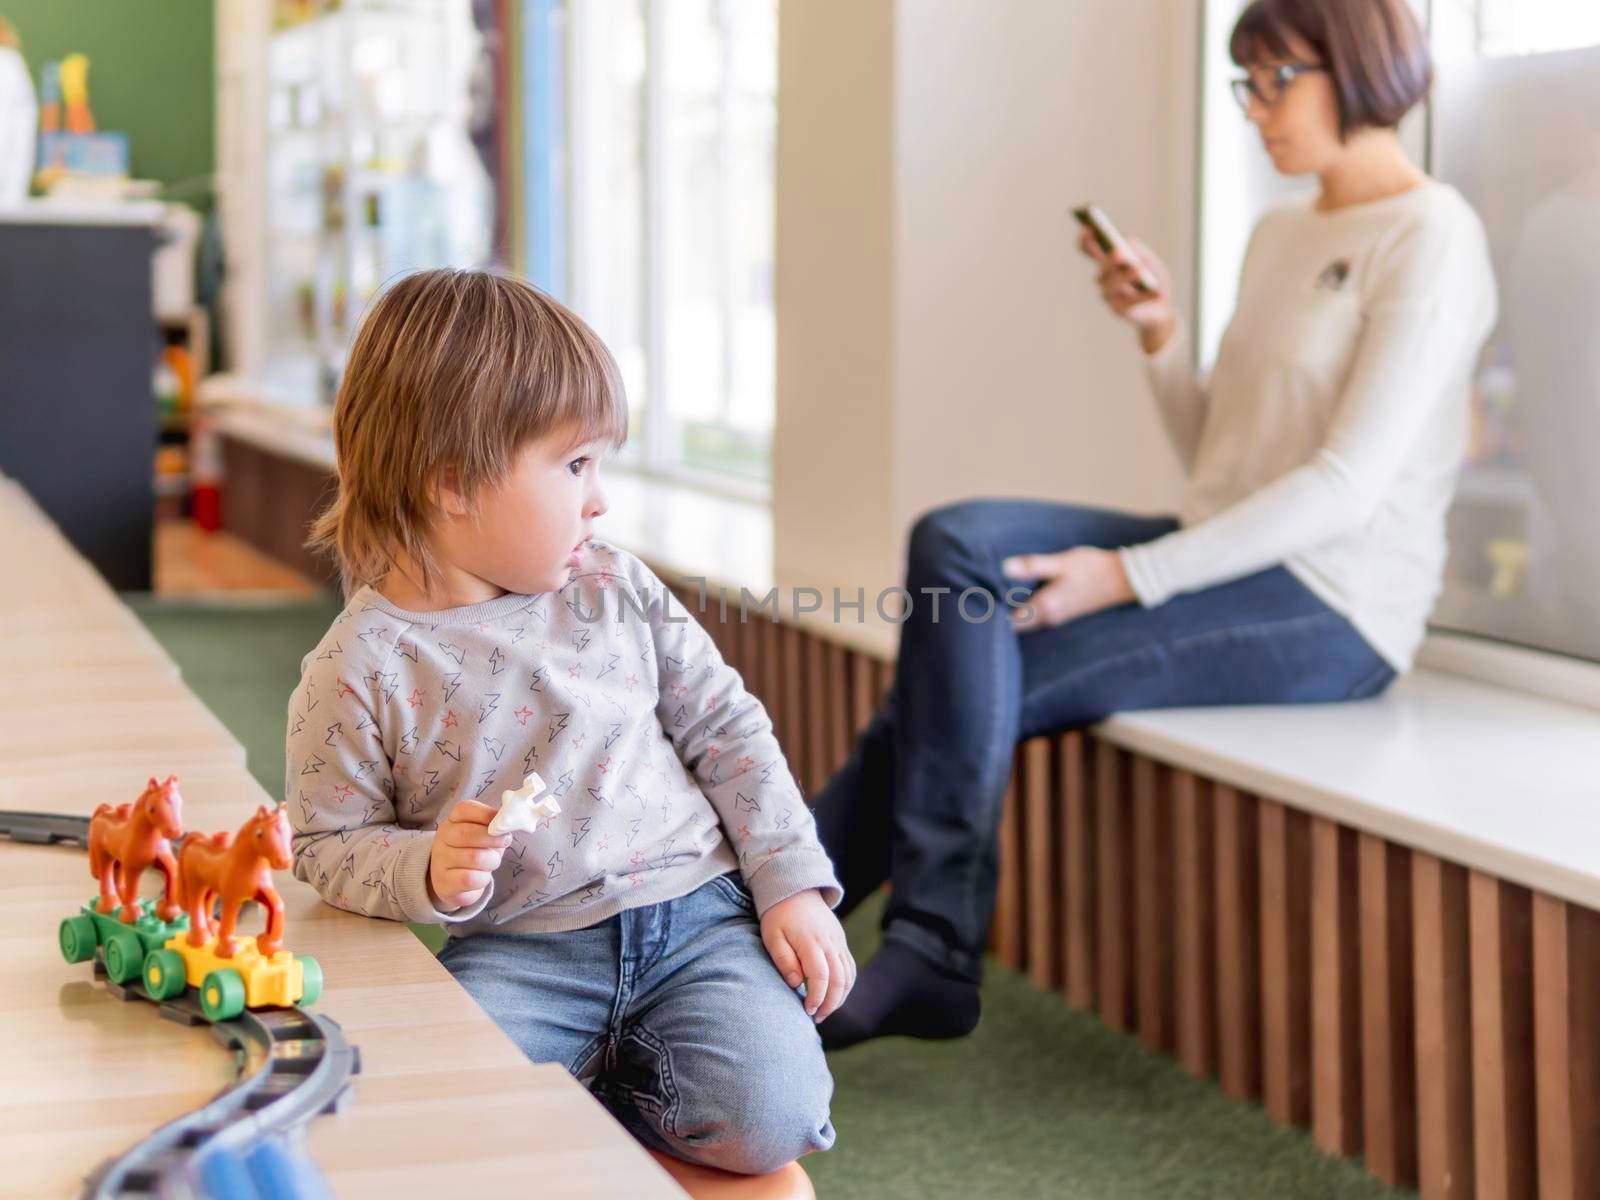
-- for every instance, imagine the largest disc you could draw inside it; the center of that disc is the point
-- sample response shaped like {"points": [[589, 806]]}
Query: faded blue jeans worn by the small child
{"points": [[676, 1020]]}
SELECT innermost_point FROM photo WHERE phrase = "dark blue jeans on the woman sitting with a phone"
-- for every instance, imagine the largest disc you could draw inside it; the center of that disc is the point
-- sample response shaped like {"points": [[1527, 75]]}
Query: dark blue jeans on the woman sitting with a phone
{"points": [[919, 801]]}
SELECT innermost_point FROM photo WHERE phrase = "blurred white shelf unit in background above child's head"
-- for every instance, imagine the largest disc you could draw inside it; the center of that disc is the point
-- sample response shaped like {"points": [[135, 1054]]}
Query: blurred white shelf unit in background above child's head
{"points": [[345, 159]]}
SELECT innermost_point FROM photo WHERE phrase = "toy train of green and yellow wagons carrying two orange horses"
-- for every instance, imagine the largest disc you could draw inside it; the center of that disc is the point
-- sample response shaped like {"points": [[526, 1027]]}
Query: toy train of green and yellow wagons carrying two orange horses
{"points": [[161, 950]]}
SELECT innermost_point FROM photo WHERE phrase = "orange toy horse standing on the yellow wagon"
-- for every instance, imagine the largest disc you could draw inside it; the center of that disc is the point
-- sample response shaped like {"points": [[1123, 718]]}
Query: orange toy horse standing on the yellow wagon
{"points": [[236, 870]]}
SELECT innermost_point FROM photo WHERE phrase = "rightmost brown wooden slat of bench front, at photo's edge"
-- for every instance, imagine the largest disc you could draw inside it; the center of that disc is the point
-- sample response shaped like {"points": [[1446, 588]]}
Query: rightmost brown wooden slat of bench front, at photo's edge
{"points": [[1567, 1058]]}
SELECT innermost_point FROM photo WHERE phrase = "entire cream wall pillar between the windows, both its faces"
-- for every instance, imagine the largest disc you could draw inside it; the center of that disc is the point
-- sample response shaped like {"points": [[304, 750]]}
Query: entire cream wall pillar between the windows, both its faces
{"points": [[999, 372]]}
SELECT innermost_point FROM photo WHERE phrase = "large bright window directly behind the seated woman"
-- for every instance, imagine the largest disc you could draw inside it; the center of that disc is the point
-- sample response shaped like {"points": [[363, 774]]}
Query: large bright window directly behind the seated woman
{"points": [[1514, 124]]}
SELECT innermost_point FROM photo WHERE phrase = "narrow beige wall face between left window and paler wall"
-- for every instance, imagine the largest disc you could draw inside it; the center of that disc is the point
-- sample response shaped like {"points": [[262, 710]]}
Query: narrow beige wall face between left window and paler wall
{"points": [[833, 458]]}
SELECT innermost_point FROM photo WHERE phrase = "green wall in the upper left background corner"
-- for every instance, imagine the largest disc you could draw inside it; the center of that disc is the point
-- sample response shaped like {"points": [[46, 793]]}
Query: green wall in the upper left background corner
{"points": [[151, 74]]}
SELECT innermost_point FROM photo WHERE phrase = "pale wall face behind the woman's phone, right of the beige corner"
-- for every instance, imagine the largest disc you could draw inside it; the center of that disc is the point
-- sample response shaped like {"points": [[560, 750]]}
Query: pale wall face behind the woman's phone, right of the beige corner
{"points": [[1010, 375]]}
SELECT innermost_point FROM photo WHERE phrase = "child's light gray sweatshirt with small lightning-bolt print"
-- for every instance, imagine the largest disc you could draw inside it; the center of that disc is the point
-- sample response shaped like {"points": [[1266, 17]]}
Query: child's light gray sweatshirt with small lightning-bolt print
{"points": [[666, 770]]}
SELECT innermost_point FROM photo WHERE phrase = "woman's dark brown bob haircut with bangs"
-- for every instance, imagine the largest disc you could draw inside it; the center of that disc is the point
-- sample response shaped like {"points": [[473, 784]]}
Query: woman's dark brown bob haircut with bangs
{"points": [[1375, 52]]}
